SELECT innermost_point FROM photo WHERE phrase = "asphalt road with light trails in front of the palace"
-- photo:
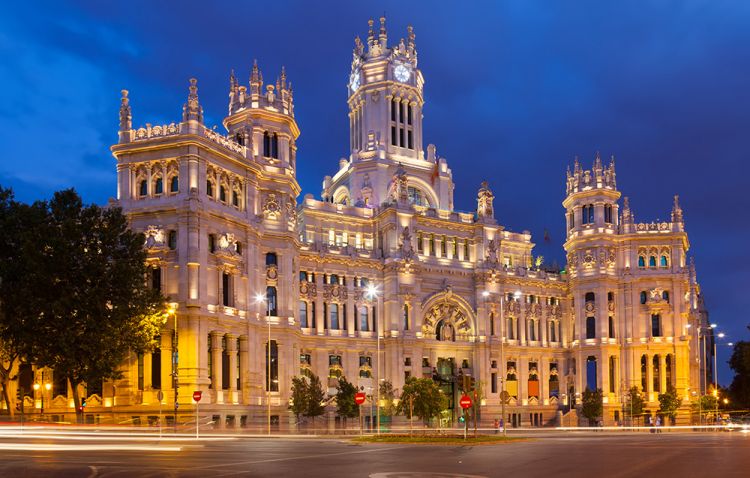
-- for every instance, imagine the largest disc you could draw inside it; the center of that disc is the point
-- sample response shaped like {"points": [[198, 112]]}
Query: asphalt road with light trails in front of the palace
{"points": [[722, 454]]}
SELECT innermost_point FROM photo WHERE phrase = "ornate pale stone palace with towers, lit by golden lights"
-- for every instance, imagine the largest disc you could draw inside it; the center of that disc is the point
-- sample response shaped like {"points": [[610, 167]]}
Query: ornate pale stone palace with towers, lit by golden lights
{"points": [[456, 291]]}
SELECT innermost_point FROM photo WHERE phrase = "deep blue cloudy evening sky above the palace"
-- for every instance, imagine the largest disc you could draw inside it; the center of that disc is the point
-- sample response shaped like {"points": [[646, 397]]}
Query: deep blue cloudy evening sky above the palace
{"points": [[514, 90]]}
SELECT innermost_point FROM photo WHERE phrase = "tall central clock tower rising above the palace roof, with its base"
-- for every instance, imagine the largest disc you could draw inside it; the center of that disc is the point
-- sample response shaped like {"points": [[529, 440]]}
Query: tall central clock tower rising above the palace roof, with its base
{"points": [[385, 98]]}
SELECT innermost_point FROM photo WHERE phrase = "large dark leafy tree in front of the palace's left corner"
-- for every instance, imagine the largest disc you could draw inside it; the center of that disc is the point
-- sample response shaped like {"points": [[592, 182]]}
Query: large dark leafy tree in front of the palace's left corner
{"points": [[96, 307]]}
